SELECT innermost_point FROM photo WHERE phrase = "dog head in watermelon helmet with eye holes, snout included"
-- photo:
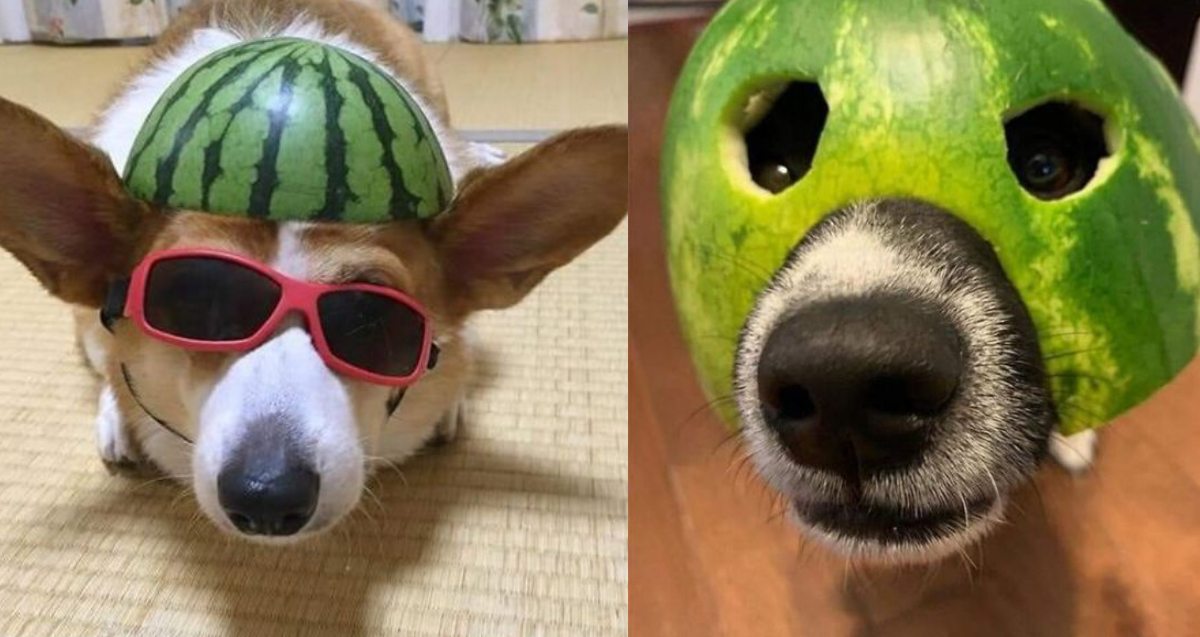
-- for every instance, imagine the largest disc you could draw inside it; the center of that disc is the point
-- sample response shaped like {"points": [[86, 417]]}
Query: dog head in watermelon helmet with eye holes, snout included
{"points": [[941, 232]]}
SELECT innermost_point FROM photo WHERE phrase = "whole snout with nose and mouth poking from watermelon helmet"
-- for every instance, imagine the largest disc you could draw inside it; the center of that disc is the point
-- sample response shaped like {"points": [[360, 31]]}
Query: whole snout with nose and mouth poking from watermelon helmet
{"points": [[891, 383]]}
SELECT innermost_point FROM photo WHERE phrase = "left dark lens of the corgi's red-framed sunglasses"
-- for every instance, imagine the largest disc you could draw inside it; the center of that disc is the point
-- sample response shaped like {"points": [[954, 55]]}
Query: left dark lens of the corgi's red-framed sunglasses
{"points": [[208, 299]]}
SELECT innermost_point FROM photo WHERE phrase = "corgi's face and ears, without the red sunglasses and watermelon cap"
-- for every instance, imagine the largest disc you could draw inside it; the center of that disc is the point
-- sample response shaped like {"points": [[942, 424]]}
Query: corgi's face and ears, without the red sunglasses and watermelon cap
{"points": [[275, 426]]}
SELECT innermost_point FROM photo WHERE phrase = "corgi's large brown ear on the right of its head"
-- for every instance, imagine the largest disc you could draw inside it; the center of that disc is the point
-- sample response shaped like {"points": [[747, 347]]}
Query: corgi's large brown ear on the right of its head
{"points": [[515, 224]]}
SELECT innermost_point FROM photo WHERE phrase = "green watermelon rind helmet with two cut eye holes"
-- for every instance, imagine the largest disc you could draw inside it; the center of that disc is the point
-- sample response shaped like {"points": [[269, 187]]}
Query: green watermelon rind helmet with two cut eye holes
{"points": [[919, 92]]}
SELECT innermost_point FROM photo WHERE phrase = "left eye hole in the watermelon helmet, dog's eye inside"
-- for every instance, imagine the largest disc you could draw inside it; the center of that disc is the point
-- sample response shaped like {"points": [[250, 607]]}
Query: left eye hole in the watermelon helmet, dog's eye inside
{"points": [[785, 129]]}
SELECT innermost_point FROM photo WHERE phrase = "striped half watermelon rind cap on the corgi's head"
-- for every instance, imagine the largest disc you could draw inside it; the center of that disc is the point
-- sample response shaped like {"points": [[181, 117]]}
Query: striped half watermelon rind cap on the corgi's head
{"points": [[290, 130]]}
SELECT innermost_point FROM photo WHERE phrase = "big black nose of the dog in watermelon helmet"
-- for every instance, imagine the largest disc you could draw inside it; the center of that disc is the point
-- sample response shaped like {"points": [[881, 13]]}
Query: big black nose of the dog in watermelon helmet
{"points": [[854, 386]]}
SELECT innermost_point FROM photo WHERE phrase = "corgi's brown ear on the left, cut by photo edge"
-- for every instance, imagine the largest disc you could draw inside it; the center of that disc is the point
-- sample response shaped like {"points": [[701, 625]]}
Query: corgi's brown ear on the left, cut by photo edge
{"points": [[64, 211]]}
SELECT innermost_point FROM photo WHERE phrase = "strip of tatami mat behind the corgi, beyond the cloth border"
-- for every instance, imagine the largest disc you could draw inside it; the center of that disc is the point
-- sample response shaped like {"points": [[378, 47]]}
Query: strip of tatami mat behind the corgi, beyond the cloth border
{"points": [[489, 86]]}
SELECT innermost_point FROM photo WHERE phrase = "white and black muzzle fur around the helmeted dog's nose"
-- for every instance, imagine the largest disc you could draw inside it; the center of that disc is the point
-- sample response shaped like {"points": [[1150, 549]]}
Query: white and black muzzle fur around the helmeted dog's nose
{"points": [[997, 437]]}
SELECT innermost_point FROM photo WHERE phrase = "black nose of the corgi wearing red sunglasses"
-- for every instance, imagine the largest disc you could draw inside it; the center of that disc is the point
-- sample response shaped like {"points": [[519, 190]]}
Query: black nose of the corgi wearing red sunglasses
{"points": [[268, 495]]}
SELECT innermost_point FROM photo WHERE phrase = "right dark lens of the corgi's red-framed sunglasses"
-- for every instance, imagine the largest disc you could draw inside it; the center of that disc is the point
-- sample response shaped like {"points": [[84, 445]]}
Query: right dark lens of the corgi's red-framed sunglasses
{"points": [[373, 333]]}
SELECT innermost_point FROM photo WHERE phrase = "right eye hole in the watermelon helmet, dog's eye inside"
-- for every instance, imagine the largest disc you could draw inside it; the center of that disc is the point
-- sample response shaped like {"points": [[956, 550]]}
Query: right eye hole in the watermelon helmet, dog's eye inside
{"points": [[1055, 149]]}
